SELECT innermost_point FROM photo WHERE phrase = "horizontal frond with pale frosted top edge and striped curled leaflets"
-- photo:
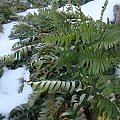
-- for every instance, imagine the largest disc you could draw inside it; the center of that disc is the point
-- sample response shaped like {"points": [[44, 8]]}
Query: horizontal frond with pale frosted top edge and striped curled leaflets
{"points": [[54, 86]]}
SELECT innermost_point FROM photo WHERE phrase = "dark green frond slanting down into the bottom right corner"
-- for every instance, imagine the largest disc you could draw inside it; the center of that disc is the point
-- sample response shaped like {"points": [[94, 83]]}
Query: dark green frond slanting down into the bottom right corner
{"points": [[105, 107]]}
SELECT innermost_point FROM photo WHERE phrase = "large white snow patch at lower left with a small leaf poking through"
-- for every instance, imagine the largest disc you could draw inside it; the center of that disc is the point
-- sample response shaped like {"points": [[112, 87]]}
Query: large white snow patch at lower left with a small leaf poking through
{"points": [[9, 84]]}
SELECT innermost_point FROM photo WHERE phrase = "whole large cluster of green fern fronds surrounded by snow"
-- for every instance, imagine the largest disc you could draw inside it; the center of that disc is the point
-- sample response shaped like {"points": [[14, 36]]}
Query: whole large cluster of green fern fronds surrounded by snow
{"points": [[72, 61]]}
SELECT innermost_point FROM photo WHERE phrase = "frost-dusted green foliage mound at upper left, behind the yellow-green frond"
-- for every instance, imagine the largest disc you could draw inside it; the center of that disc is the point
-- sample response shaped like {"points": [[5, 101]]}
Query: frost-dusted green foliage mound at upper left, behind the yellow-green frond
{"points": [[37, 25]]}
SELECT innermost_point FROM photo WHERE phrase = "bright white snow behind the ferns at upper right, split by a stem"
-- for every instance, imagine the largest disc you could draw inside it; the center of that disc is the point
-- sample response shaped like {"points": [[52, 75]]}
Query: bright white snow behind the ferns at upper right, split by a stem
{"points": [[93, 9]]}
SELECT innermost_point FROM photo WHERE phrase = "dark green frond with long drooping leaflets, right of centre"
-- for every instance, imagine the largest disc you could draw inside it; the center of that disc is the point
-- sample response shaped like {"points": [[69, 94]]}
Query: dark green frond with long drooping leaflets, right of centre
{"points": [[96, 61]]}
